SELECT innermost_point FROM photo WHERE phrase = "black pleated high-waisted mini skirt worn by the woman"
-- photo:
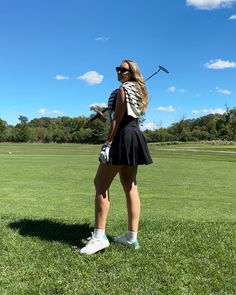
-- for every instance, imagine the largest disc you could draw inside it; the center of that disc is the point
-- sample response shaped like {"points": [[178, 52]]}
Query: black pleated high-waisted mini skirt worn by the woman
{"points": [[129, 146]]}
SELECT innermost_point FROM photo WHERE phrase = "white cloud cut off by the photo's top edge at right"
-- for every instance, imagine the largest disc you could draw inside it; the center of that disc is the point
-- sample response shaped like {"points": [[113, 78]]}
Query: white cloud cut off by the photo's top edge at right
{"points": [[210, 4]]}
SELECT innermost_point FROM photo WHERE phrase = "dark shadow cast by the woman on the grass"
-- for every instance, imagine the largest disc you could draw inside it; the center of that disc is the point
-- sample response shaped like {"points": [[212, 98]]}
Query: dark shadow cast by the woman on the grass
{"points": [[49, 230]]}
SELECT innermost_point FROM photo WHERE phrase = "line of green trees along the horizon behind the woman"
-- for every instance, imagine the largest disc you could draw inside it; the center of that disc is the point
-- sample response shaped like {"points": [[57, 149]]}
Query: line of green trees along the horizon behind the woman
{"points": [[82, 130]]}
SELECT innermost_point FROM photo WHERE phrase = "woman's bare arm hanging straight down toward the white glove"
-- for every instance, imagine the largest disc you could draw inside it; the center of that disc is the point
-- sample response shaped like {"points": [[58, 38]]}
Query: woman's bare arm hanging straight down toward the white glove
{"points": [[119, 113]]}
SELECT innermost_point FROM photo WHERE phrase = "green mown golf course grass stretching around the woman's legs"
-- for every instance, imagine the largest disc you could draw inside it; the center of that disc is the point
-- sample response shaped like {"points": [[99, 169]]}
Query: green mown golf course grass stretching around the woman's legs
{"points": [[187, 230]]}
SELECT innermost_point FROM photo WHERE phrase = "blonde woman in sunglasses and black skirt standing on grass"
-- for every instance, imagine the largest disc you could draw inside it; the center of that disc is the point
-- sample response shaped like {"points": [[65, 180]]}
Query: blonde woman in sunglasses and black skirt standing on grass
{"points": [[124, 149]]}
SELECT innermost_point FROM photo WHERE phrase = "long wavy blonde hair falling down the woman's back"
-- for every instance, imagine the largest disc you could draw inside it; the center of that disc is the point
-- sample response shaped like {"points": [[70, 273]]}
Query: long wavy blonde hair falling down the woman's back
{"points": [[137, 77]]}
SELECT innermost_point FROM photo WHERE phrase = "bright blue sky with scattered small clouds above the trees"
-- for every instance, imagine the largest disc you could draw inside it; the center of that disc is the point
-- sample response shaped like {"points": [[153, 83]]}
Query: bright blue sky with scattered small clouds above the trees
{"points": [[58, 57]]}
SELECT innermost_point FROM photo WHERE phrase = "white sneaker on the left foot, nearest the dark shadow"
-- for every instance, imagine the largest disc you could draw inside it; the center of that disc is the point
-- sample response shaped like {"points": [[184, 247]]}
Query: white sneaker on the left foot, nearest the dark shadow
{"points": [[94, 245]]}
